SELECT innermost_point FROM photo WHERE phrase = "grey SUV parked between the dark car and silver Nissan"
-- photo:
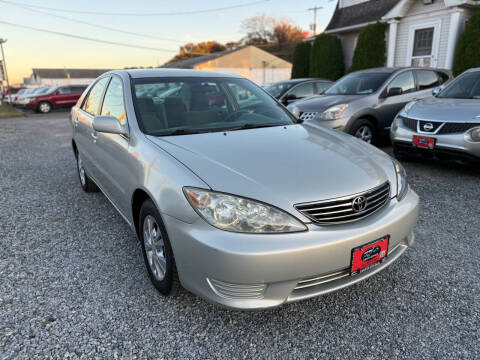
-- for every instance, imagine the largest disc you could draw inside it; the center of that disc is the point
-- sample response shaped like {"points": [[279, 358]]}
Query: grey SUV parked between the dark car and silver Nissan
{"points": [[364, 103]]}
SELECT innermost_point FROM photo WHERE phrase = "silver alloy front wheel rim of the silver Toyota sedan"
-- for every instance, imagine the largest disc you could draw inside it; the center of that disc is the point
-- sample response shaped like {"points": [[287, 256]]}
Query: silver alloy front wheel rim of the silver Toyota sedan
{"points": [[154, 247]]}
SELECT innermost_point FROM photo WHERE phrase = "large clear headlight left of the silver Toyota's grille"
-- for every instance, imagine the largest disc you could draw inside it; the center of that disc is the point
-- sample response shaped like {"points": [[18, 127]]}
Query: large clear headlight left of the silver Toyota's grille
{"points": [[237, 214]]}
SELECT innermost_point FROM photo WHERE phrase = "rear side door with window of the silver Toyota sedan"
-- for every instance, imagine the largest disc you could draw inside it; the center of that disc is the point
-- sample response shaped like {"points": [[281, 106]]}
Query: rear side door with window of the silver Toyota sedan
{"points": [[85, 137]]}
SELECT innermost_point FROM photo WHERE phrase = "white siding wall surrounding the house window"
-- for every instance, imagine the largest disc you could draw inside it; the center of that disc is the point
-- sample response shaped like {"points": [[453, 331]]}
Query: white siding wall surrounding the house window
{"points": [[418, 14]]}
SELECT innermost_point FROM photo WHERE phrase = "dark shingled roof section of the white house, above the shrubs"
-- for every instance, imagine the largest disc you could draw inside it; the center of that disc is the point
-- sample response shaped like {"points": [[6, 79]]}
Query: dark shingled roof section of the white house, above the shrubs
{"points": [[363, 13]]}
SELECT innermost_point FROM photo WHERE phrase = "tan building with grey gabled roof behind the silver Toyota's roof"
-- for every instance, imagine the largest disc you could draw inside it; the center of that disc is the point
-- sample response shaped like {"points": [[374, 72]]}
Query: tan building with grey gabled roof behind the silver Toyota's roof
{"points": [[251, 62]]}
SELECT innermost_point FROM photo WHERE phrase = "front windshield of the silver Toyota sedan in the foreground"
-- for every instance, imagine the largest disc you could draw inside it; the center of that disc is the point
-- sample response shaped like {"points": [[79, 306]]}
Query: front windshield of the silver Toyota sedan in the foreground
{"points": [[181, 106]]}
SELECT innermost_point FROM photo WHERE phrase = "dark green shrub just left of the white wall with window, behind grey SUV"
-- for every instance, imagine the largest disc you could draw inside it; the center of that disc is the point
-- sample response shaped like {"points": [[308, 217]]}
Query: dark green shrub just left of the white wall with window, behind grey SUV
{"points": [[371, 48]]}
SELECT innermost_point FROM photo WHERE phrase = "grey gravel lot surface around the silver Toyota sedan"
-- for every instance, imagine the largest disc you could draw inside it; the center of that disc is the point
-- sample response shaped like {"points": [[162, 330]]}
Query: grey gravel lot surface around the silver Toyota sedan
{"points": [[73, 283]]}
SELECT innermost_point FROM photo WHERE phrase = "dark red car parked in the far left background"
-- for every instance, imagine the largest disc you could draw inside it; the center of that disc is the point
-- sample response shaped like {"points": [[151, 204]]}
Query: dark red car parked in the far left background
{"points": [[57, 97]]}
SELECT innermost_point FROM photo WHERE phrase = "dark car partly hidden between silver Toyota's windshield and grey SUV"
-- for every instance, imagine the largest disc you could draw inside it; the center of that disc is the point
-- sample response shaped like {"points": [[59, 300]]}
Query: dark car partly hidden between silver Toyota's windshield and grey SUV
{"points": [[293, 90]]}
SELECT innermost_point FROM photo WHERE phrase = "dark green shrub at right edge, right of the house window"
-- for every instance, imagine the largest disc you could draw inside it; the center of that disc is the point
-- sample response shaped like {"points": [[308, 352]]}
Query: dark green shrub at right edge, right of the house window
{"points": [[467, 54]]}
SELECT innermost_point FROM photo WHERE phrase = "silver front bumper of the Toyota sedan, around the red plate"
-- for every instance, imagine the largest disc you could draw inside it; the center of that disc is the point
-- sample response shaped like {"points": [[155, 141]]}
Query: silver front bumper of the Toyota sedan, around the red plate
{"points": [[254, 271]]}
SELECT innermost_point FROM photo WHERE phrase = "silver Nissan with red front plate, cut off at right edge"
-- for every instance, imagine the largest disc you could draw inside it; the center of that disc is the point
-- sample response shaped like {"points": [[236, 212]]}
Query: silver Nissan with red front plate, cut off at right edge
{"points": [[446, 126]]}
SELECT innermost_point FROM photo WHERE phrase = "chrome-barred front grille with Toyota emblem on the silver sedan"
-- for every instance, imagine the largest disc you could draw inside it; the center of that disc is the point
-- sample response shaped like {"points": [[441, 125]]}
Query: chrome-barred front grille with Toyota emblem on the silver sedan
{"points": [[343, 210]]}
